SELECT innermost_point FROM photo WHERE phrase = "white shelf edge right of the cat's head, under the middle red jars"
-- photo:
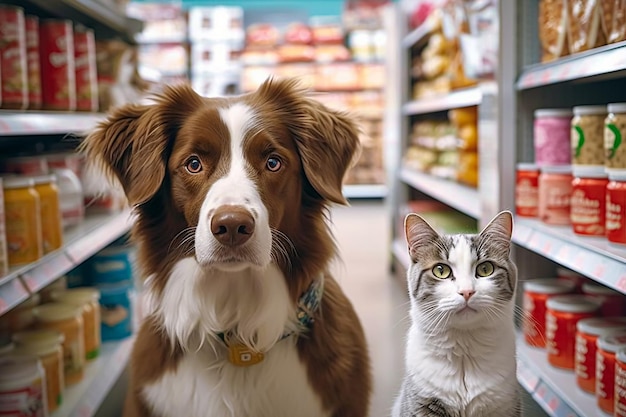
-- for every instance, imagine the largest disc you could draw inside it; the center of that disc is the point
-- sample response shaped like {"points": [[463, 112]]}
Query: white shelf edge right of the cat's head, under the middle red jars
{"points": [[593, 257]]}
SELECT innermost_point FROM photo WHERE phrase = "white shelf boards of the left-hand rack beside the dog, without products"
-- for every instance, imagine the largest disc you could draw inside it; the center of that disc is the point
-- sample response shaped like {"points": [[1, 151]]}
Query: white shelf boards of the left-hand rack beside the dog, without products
{"points": [[96, 231]]}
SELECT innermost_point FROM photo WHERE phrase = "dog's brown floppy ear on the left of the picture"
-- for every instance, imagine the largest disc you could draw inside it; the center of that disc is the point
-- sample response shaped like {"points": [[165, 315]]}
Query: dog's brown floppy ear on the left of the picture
{"points": [[132, 144]]}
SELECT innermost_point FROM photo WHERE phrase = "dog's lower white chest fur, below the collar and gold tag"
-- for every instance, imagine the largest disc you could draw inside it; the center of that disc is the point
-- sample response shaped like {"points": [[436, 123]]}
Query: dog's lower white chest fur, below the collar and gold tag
{"points": [[276, 387]]}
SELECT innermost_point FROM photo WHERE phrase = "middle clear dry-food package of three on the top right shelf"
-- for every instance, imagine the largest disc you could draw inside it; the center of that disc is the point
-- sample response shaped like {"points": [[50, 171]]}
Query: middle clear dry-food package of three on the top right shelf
{"points": [[583, 23]]}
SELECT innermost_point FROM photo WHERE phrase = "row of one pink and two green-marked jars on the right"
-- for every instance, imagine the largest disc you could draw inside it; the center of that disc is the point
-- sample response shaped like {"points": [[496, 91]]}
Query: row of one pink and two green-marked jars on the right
{"points": [[589, 136]]}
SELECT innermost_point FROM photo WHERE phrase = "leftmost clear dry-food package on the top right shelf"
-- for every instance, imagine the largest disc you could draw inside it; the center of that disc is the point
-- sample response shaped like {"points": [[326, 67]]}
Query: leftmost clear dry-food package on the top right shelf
{"points": [[553, 29]]}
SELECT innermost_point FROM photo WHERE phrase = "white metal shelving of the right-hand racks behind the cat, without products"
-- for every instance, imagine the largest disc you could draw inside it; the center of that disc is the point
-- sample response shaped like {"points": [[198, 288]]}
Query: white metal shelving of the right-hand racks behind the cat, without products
{"points": [[505, 138]]}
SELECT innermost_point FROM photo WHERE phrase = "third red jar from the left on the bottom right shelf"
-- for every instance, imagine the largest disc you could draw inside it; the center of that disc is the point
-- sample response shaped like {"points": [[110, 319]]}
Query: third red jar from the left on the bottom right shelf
{"points": [[587, 333]]}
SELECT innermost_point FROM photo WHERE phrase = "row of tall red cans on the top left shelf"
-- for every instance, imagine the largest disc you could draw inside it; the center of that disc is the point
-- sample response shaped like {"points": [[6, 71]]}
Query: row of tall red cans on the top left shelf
{"points": [[46, 63]]}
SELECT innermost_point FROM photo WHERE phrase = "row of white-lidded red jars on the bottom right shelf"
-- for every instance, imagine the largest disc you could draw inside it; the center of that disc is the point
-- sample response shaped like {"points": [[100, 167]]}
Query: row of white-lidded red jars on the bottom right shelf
{"points": [[582, 329]]}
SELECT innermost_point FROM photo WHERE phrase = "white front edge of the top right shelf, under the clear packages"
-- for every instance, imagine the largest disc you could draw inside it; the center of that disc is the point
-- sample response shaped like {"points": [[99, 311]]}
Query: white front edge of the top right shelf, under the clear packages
{"points": [[594, 63]]}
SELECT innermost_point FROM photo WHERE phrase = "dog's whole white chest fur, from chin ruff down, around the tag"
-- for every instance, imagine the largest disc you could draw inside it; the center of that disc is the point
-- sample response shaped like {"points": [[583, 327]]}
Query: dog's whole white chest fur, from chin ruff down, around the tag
{"points": [[195, 304]]}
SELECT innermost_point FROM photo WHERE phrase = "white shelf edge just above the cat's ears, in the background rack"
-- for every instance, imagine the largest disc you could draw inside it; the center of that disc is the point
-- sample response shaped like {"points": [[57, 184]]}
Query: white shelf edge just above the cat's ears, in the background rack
{"points": [[460, 197]]}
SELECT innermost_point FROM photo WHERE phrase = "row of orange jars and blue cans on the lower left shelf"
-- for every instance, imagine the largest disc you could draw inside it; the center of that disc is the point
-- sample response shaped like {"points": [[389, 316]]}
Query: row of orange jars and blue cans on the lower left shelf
{"points": [[54, 336]]}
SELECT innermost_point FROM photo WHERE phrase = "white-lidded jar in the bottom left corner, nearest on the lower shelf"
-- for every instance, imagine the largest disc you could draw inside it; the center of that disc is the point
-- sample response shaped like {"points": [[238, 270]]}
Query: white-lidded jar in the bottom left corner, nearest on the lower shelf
{"points": [[22, 387]]}
